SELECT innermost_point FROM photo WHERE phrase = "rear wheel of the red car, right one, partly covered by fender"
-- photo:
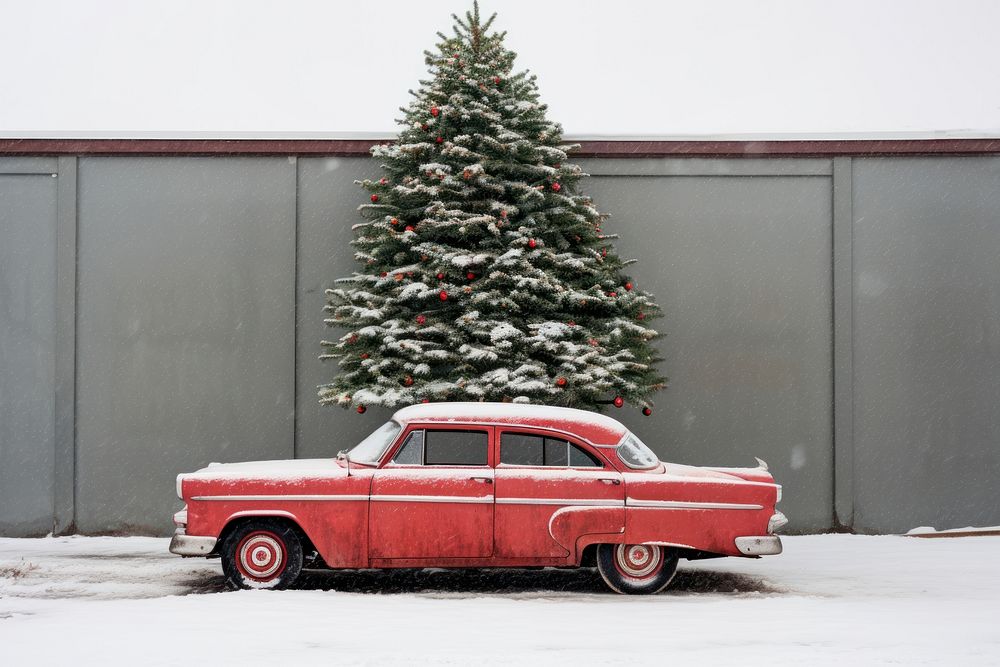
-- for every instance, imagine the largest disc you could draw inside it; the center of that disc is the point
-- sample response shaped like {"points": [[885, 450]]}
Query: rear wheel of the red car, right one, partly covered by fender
{"points": [[636, 569]]}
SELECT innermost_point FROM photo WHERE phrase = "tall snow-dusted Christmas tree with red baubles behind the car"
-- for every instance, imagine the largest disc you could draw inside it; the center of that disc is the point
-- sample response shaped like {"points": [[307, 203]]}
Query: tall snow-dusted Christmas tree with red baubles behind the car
{"points": [[485, 274]]}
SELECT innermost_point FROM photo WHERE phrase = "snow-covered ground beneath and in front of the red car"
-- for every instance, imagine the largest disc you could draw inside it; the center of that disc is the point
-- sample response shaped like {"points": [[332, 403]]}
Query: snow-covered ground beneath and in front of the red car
{"points": [[829, 599]]}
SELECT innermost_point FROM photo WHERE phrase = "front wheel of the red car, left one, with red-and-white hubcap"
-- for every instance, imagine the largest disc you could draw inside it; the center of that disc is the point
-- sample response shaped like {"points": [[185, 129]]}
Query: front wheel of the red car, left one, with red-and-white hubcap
{"points": [[262, 554]]}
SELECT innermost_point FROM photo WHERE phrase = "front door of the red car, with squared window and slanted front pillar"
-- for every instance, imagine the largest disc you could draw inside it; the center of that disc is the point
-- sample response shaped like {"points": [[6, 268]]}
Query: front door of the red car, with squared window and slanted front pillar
{"points": [[433, 498]]}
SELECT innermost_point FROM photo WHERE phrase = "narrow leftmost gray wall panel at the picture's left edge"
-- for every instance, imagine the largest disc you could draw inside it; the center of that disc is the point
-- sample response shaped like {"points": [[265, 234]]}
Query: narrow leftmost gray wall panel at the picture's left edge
{"points": [[27, 345]]}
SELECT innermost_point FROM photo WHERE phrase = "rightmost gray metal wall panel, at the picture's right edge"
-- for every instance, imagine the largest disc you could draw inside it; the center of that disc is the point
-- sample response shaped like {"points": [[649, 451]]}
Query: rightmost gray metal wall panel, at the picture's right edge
{"points": [[927, 342]]}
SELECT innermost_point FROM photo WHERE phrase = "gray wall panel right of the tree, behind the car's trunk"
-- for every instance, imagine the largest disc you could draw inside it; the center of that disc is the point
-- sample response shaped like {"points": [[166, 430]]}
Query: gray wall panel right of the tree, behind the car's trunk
{"points": [[742, 266]]}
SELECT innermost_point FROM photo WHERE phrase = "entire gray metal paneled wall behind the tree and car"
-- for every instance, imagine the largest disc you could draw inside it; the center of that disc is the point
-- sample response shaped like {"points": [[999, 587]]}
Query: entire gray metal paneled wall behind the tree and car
{"points": [[839, 318]]}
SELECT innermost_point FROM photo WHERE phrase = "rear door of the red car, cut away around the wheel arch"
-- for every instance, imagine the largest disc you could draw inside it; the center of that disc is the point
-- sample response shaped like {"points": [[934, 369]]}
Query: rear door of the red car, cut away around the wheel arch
{"points": [[551, 488]]}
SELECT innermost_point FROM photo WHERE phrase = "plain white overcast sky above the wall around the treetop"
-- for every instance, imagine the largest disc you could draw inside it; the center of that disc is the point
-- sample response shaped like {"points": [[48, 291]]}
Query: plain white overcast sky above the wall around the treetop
{"points": [[642, 68]]}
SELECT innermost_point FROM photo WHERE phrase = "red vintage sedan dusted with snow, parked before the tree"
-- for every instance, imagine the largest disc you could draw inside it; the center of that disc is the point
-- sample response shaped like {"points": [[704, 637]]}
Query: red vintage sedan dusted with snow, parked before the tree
{"points": [[478, 485]]}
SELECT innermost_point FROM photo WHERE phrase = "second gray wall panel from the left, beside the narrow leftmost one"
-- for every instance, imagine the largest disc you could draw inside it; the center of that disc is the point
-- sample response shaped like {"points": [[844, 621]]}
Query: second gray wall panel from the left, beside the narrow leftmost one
{"points": [[186, 327]]}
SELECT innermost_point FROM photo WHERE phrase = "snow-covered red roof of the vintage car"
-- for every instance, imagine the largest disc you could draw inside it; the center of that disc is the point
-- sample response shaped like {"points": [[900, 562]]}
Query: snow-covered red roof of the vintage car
{"points": [[598, 429]]}
